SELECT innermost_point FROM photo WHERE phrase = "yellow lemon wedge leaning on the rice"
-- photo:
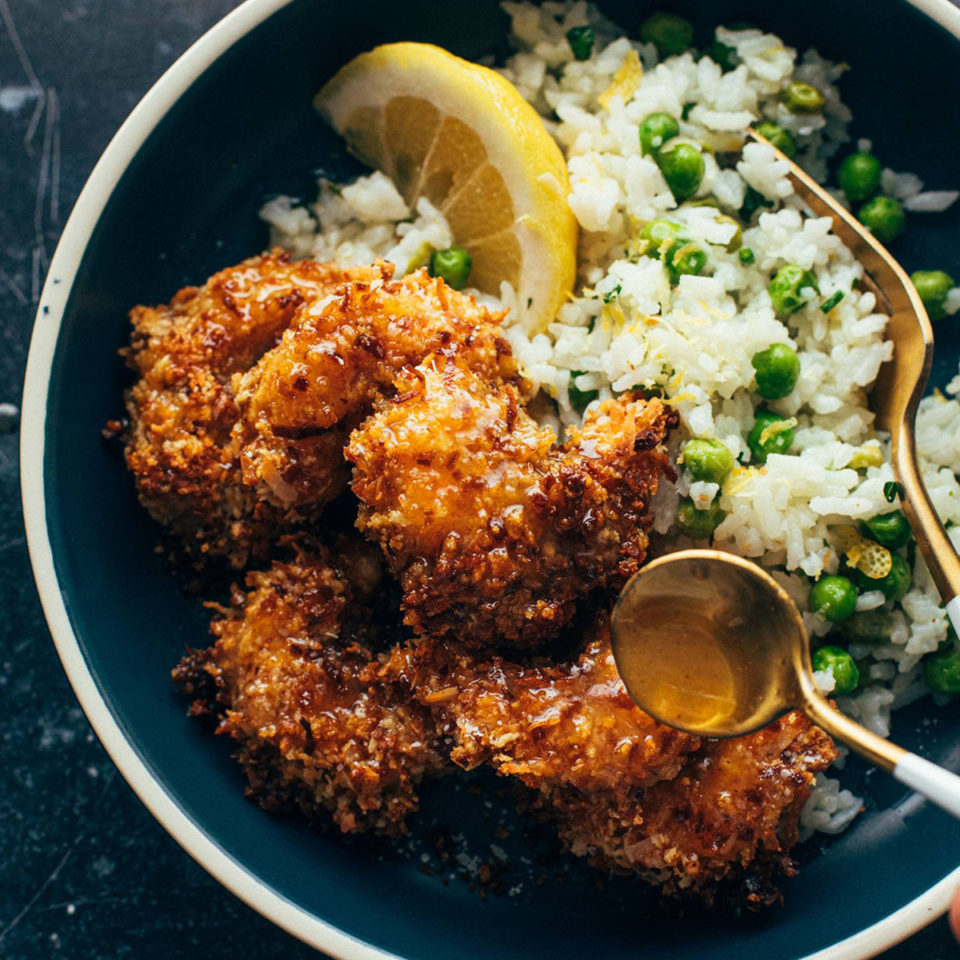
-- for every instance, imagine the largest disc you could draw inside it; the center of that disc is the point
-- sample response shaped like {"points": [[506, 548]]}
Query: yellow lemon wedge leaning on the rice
{"points": [[462, 136]]}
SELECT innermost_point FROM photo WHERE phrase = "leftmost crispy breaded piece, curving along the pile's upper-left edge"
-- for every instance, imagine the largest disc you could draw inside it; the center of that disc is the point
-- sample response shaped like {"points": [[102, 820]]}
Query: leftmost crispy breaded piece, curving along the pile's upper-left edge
{"points": [[182, 410]]}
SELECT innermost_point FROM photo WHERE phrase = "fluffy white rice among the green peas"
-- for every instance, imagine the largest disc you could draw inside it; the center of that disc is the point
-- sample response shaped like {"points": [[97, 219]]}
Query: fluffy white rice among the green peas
{"points": [[628, 328]]}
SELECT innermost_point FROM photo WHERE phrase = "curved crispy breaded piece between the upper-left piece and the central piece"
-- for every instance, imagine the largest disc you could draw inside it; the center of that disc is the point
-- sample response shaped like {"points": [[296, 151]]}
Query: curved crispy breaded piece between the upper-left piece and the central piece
{"points": [[338, 357]]}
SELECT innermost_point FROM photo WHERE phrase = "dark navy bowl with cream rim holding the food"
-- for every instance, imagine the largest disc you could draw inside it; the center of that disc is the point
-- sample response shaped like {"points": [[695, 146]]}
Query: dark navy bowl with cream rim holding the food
{"points": [[174, 198]]}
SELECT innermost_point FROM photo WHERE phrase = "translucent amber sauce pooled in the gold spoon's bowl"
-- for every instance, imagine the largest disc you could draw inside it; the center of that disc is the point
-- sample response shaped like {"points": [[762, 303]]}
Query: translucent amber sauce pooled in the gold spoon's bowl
{"points": [[699, 654]]}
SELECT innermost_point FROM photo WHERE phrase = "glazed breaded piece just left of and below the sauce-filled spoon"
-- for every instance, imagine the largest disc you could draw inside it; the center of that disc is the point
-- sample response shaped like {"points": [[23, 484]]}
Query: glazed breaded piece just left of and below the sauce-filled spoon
{"points": [[551, 725]]}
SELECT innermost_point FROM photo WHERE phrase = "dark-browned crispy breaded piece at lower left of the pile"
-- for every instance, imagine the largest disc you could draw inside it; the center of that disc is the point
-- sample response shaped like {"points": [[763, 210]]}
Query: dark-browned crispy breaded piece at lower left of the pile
{"points": [[293, 678]]}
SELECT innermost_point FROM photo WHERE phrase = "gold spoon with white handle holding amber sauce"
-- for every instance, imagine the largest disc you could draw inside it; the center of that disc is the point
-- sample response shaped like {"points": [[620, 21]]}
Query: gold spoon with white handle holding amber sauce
{"points": [[710, 643]]}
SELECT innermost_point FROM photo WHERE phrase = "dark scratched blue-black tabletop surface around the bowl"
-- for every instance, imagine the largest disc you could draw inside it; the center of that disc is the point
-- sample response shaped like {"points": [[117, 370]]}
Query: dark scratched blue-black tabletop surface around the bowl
{"points": [[85, 871]]}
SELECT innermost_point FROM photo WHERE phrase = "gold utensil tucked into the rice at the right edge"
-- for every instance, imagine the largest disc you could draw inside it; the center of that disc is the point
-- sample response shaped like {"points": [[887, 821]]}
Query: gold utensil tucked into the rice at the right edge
{"points": [[902, 379]]}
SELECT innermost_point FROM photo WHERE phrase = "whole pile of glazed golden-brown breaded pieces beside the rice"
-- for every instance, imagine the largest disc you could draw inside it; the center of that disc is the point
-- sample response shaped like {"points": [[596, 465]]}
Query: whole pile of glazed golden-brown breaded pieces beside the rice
{"points": [[240, 432]]}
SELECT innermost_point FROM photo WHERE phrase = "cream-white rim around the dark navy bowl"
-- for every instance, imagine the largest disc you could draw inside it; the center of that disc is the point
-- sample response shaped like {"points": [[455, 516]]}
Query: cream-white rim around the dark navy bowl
{"points": [[56, 292]]}
